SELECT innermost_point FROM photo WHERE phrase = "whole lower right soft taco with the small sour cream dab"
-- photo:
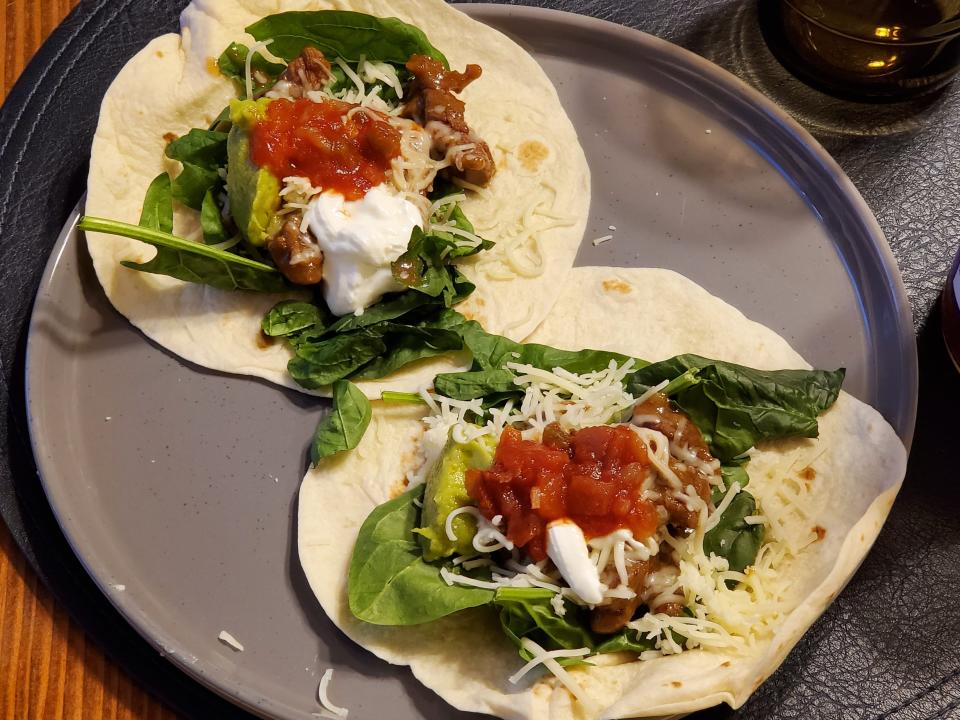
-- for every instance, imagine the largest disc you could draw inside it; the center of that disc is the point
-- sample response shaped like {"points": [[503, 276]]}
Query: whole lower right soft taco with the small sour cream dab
{"points": [[642, 529]]}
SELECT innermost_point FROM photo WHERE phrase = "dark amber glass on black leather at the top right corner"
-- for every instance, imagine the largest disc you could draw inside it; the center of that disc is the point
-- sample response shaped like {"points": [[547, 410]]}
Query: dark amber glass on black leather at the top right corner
{"points": [[866, 50]]}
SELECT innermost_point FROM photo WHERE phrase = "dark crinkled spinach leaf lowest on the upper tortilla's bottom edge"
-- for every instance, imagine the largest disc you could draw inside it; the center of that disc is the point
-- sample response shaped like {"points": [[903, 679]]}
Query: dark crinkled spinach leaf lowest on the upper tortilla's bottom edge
{"points": [[316, 365]]}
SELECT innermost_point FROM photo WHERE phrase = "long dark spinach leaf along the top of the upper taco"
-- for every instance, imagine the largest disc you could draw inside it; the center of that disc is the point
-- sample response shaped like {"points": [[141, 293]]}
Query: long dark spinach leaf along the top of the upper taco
{"points": [[344, 34]]}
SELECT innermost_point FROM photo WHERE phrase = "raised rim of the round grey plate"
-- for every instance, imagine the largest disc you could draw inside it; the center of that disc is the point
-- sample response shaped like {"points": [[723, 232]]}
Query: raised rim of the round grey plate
{"points": [[262, 706]]}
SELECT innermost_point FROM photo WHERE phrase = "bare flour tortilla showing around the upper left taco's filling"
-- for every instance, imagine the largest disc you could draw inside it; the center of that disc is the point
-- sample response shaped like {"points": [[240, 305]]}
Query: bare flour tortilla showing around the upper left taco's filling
{"points": [[169, 87]]}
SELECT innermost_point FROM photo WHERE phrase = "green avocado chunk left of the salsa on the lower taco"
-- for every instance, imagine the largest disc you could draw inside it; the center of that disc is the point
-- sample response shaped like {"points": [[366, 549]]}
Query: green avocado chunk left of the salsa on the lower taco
{"points": [[446, 491]]}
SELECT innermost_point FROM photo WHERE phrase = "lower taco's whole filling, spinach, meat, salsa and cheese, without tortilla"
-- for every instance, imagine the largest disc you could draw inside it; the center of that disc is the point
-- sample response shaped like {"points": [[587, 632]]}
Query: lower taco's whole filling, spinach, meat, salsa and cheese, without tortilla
{"points": [[598, 512]]}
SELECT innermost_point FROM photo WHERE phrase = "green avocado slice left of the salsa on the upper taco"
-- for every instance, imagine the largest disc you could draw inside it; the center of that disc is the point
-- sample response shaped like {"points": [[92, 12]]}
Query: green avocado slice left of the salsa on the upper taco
{"points": [[254, 192]]}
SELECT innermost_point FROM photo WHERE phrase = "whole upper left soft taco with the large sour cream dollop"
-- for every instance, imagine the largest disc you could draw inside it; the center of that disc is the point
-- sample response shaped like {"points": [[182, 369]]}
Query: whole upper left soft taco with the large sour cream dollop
{"points": [[296, 190]]}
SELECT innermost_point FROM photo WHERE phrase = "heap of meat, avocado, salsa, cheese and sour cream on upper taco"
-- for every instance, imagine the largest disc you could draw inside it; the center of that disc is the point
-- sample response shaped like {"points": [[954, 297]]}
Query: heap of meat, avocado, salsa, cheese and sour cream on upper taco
{"points": [[358, 148]]}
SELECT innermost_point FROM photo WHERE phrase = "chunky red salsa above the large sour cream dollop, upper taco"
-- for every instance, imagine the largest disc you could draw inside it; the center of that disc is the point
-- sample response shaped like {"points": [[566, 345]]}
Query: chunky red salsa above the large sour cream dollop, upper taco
{"points": [[317, 141]]}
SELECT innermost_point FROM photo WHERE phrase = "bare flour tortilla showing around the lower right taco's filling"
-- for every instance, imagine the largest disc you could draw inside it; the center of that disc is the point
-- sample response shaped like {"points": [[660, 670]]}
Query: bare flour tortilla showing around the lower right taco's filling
{"points": [[653, 314]]}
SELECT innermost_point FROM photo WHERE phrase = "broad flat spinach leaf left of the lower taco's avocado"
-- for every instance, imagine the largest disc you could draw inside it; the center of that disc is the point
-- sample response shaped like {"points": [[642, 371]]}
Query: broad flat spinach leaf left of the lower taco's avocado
{"points": [[389, 583]]}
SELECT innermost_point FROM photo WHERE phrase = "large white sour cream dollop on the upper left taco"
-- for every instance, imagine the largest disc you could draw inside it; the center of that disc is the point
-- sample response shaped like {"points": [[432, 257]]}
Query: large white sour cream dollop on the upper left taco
{"points": [[359, 240]]}
